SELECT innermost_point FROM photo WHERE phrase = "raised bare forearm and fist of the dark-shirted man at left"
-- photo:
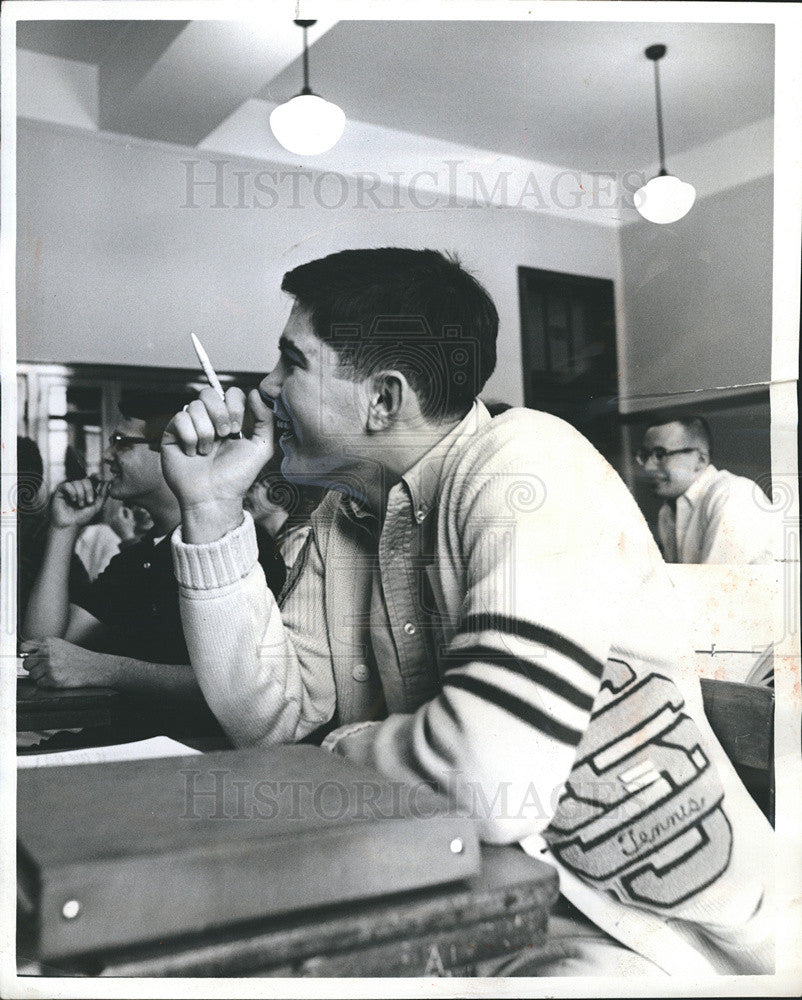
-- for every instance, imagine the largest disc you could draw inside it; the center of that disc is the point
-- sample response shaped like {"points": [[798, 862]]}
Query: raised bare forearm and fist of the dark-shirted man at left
{"points": [[49, 612]]}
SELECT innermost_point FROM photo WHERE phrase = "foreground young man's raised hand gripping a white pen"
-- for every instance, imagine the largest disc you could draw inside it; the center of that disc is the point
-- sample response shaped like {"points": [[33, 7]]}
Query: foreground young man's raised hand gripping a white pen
{"points": [[207, 468]]}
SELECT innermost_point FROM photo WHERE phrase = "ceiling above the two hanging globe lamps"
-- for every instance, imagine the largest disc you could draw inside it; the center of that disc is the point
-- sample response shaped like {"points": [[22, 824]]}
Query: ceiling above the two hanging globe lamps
{"points": [[577, 94]]}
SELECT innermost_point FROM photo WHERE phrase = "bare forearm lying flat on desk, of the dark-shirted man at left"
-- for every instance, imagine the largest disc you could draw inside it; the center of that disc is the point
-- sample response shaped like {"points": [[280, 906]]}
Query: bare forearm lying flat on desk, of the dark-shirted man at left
{"points": [[56, 663]]}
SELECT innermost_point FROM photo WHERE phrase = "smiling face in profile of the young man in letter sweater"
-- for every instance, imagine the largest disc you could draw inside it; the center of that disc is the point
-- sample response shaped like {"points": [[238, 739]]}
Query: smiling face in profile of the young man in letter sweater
{"points": [[320, 415]]}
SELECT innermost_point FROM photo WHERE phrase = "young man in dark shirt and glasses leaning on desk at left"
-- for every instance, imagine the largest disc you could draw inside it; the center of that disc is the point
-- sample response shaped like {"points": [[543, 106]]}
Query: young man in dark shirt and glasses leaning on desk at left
{"points": [[123, 629]]}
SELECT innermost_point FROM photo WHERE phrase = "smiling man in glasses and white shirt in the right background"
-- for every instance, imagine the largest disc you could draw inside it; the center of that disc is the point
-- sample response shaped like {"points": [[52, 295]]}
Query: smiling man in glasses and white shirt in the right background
{"points": [[709, 515]]}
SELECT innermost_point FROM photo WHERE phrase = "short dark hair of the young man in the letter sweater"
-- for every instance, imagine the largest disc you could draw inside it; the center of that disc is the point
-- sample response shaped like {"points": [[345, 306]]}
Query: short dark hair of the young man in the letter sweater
{"points": [[417, 311]]}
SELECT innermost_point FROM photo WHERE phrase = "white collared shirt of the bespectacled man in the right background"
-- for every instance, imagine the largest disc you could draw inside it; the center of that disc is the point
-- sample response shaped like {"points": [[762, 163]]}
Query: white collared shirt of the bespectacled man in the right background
{"points": [[721, 518]]}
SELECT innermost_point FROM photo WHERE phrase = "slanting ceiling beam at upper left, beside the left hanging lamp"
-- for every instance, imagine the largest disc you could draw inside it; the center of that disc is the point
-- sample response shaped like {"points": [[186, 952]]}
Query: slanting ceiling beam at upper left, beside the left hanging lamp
{"points": [[178, 81]]}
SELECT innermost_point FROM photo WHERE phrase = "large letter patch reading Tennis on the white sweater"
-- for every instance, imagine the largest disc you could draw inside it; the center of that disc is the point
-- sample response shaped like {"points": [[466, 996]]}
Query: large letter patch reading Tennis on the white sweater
{"points": [[641, 815]]}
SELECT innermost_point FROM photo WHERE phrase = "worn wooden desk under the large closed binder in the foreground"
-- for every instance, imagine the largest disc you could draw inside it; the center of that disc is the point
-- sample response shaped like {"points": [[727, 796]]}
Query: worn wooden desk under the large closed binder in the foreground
{"points": [[433, 932]]}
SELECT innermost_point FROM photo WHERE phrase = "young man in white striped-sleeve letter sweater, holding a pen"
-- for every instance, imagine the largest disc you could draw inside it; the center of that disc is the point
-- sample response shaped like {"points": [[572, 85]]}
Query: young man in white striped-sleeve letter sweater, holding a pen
{"points": [[479, 606]]}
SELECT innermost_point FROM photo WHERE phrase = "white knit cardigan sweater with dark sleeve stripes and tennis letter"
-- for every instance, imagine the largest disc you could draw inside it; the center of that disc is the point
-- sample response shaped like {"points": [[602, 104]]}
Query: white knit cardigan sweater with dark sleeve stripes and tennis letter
{"points": [[559, 708]]}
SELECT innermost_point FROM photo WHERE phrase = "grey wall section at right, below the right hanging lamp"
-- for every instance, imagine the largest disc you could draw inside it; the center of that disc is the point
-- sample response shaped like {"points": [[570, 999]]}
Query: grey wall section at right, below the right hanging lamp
{"points": [[697, 296]]}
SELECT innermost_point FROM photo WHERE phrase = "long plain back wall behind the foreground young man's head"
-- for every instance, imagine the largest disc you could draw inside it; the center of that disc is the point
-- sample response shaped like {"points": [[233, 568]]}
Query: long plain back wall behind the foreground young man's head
{"points": [[114, 268]]}
